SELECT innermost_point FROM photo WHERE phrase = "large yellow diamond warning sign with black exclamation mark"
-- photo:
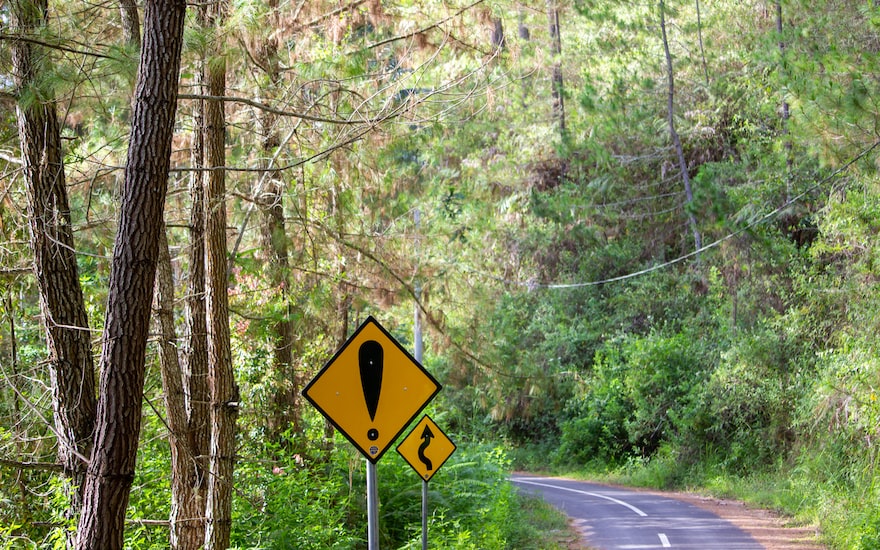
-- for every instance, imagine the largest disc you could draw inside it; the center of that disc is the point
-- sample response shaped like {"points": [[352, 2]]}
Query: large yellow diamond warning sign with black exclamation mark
{"points": [[371, 389]]}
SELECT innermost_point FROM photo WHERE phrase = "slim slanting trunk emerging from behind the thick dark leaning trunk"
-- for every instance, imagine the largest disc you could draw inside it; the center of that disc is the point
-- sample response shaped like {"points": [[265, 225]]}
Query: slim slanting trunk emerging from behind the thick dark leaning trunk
{"points": [[186, 509]]}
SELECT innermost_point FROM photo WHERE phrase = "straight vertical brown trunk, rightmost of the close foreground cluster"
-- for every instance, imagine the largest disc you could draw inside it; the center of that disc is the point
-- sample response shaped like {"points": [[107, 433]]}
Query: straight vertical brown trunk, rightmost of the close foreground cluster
{"points": [[224, 394]]}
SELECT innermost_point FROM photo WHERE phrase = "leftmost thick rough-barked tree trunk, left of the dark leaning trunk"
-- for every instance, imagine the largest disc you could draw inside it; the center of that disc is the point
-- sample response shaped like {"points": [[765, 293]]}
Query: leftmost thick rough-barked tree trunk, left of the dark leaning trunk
{"points": [[71, 367]]}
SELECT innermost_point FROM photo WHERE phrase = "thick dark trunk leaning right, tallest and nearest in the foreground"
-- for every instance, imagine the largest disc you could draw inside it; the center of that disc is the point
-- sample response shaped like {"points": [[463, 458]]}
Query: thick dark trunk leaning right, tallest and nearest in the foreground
{"points": [[133, 269]]}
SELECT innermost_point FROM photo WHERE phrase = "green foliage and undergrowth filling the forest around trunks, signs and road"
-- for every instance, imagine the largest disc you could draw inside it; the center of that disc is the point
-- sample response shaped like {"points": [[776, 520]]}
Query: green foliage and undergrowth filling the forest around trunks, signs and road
{"points": [[756, 359]]}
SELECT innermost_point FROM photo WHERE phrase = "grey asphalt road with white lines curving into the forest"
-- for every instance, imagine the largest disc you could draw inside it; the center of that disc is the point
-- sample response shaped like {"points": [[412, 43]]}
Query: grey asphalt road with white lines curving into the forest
{"points": [[614, 518]]}
